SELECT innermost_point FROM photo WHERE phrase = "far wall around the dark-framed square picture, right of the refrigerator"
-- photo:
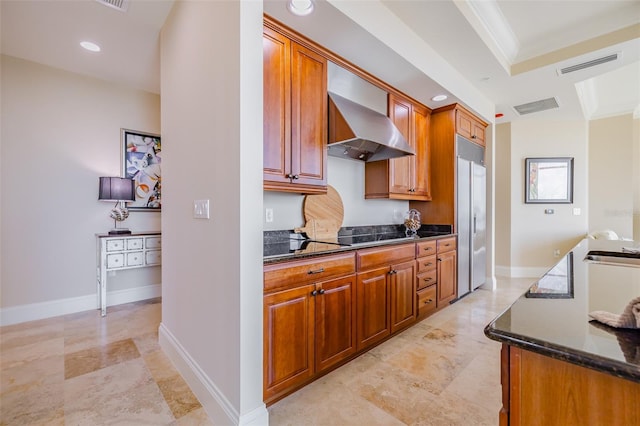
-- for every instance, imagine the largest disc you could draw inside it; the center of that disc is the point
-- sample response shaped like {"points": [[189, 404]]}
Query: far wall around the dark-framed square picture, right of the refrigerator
{"points": [[534, 234]]}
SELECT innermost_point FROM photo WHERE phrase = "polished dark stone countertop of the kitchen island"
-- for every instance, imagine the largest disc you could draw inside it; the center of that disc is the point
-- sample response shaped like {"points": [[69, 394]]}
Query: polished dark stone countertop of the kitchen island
{"points": [[552, 317]]}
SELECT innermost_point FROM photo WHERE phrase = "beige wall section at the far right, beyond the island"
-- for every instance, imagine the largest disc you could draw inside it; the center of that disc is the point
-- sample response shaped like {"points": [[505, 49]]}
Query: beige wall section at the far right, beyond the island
{"points": [[611, 175]]}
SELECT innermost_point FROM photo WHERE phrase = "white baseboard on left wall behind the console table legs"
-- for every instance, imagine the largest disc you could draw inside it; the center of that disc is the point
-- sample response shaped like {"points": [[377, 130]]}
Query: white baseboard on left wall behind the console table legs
{"points": [[54, 308]]}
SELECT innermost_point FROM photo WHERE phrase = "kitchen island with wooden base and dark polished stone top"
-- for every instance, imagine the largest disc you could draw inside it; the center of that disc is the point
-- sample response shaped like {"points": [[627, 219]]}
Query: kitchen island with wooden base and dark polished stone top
{"points": [[559, 367]]}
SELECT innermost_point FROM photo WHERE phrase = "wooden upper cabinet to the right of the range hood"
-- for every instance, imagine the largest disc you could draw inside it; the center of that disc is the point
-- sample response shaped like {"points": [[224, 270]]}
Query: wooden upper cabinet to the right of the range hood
{"points": [[404, 178]]}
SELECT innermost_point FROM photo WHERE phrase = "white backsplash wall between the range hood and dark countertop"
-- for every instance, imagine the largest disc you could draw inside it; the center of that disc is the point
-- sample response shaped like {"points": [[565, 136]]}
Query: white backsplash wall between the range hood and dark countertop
{"points": [[347, 177]]}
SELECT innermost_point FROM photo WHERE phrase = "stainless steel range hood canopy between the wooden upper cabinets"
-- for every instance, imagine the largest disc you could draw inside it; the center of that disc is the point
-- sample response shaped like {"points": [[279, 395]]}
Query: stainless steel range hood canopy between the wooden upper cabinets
{"points": [[358, 132]]}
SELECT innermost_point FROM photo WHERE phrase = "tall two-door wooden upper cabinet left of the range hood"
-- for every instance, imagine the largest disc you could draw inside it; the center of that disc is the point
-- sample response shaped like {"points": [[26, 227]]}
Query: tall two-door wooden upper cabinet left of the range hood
{"points": [[295, 116]]}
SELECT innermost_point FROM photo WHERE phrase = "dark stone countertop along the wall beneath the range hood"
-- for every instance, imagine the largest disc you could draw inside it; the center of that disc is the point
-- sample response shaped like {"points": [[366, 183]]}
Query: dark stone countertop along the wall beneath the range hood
{"points": [[280, 246]]}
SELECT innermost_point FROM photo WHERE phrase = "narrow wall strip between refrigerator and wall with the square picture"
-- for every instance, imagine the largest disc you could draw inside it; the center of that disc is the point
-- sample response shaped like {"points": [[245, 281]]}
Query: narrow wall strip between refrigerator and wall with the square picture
{"points": [[503, 198]]}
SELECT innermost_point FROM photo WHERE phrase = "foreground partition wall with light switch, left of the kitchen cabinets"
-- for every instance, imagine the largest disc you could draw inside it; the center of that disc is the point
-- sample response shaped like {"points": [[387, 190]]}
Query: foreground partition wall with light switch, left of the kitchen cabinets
{"points": [[211, 72]]}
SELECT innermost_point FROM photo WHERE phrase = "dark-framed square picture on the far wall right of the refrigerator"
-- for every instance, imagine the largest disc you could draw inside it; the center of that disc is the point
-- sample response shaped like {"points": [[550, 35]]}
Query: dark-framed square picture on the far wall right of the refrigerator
{"points": [[548, 180]]}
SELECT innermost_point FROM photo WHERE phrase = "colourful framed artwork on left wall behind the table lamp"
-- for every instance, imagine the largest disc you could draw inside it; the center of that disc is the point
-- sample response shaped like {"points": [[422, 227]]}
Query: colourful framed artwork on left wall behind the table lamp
{"points": [[141, 160]]}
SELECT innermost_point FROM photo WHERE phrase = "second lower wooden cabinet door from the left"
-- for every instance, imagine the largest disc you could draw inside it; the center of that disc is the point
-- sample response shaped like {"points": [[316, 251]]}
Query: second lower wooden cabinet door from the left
{"points": [[335, 321]]}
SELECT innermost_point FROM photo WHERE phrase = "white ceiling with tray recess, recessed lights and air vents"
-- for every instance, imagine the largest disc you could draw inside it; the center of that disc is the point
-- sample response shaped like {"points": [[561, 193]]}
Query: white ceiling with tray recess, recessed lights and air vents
{"points": [[502, 52]]}
